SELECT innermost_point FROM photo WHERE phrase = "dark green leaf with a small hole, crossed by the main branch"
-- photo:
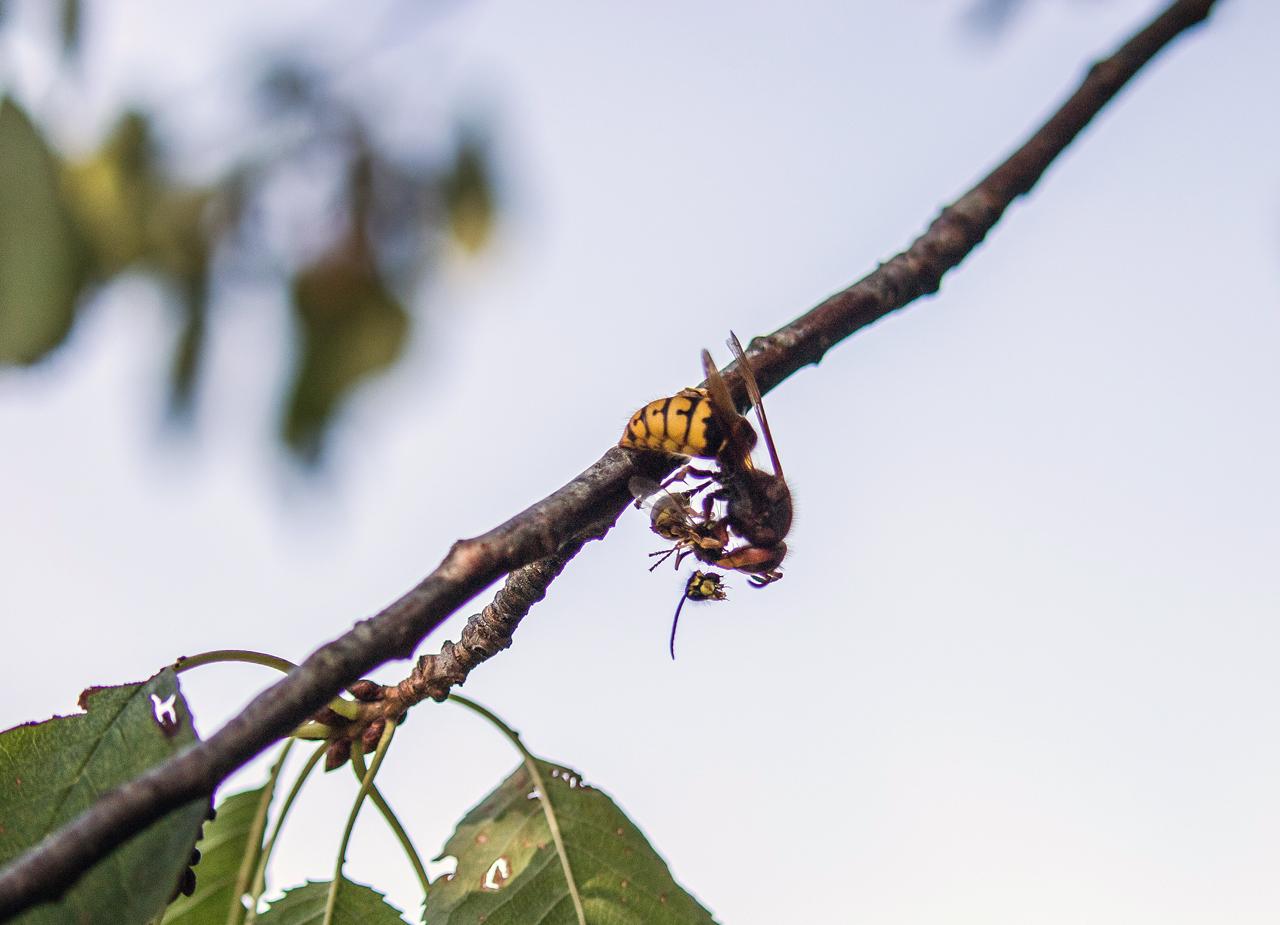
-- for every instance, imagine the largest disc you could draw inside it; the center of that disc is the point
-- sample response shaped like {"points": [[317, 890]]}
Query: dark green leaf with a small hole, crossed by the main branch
{"points": [[53, 771]]}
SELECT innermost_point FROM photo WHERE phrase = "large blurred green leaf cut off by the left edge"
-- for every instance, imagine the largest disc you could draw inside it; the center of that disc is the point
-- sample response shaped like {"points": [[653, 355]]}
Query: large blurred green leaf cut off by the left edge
{"points": [[43, 258]]}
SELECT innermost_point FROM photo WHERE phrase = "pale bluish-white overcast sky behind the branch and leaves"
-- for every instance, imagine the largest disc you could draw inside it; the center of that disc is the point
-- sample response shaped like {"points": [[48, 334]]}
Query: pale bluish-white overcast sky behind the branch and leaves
{"points": [[1026, 662]]}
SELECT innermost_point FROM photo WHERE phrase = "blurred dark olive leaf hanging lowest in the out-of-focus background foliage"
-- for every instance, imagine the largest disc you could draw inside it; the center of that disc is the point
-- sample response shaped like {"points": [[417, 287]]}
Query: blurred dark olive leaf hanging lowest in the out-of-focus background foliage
{"points": [[351, 328]]}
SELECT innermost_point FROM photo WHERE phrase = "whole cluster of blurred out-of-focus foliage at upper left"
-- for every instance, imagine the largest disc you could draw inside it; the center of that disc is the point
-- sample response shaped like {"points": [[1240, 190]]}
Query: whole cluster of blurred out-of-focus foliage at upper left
{"points": [[68, 227]]}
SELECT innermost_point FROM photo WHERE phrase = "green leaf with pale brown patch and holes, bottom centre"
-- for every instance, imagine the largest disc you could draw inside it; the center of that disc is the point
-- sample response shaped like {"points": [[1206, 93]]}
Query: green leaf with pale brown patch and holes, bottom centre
{"points": [[509, 871]]}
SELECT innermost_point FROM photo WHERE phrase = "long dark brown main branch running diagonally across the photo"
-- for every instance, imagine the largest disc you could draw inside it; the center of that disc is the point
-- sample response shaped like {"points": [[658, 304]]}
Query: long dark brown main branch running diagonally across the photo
{"points": [[587, 507]]}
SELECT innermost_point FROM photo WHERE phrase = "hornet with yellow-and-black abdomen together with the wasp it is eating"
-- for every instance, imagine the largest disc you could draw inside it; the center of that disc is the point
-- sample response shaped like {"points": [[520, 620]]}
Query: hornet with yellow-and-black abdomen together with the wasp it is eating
{"points": [[705, 424]]}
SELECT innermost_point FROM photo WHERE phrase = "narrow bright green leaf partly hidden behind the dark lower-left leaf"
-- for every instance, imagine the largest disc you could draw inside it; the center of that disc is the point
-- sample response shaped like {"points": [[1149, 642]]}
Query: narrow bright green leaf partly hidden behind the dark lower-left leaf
{"points": [[222, 851]]}
